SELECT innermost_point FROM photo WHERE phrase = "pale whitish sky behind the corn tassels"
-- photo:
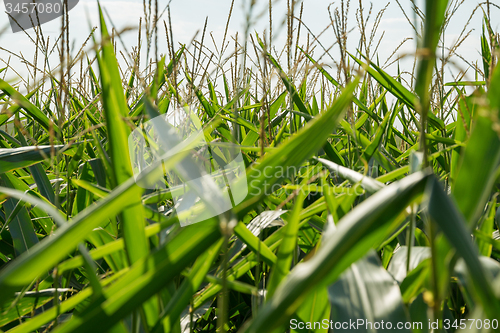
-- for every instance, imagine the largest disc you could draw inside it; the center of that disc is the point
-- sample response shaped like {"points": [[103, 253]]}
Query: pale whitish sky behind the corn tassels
{"points": [[188, 18]]}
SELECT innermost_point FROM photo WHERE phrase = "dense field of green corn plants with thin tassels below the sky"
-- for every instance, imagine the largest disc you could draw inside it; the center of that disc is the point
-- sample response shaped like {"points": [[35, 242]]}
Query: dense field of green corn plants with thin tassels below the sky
{"points": [[365, 198]]}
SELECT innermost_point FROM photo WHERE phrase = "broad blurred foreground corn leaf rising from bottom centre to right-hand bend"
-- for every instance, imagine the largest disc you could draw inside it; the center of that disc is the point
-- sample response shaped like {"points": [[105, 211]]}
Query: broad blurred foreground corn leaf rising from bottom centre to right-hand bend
{"points": [[346, 245]]}
